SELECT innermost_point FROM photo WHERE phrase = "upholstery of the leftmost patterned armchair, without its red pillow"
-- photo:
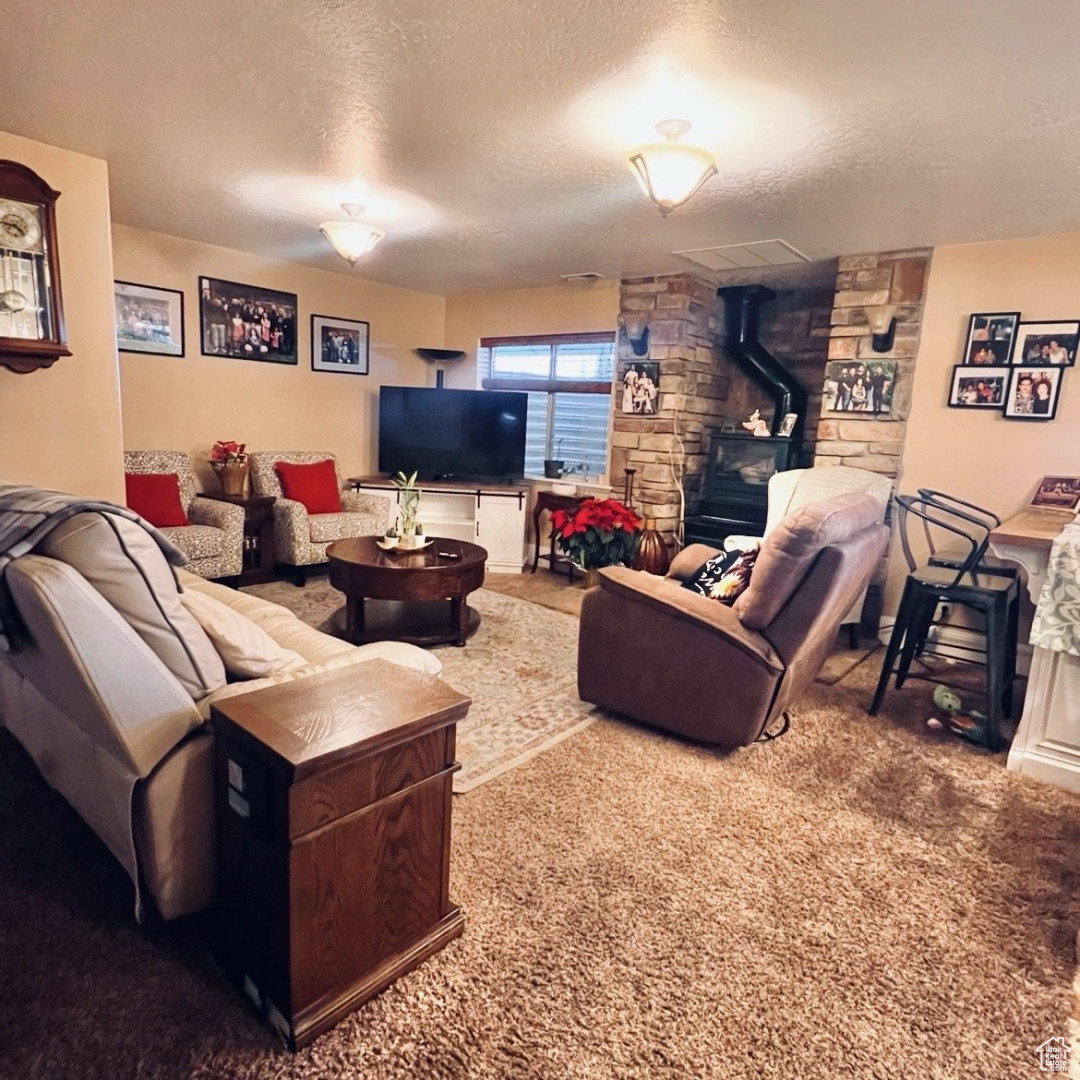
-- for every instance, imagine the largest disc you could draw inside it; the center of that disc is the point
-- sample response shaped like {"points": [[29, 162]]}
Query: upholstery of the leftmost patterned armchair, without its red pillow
{"points": [[214, 542]]}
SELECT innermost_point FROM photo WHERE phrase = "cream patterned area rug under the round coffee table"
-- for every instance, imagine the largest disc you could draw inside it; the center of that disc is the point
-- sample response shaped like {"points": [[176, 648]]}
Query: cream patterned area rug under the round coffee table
{"points": [[520, 669]]}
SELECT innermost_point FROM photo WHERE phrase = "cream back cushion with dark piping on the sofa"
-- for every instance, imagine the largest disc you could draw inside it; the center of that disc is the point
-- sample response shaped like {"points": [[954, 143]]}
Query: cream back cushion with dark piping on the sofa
{"points": [[125, 564]]}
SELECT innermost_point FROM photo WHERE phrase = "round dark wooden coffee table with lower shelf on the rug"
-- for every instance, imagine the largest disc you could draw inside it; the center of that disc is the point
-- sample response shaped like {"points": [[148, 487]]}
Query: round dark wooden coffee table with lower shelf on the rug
{"points": [[401, 596]]}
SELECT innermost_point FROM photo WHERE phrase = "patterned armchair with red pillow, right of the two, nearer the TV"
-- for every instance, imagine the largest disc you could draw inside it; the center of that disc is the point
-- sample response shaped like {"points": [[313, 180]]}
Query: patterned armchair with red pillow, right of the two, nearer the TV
{"points": [[314, 509]]}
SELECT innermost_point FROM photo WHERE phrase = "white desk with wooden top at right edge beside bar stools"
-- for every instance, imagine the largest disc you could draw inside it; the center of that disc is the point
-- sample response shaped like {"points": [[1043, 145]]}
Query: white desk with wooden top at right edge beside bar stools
{"points": [[1048, 740]]}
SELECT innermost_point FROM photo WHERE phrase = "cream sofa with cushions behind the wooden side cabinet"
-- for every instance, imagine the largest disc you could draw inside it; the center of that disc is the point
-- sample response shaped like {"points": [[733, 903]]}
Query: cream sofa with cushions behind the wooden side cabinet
{"points": [[111, 692]]}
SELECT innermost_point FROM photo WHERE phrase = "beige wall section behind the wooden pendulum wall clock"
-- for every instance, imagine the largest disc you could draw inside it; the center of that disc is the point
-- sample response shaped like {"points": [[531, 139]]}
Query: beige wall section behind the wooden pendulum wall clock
{"points": [[61, 426]]}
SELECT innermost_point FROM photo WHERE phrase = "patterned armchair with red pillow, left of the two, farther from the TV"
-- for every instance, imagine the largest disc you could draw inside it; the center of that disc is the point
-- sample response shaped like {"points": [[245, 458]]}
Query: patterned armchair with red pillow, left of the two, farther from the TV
{"points": [[161, 488]]}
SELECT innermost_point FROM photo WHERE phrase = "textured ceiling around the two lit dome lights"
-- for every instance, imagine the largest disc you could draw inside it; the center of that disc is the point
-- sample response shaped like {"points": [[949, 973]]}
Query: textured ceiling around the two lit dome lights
{"points": [[489, 138]]}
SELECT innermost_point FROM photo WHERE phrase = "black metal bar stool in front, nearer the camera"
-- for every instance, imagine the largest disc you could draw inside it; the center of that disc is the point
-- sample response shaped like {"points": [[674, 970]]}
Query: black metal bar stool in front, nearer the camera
{"points": [[970, 585]]}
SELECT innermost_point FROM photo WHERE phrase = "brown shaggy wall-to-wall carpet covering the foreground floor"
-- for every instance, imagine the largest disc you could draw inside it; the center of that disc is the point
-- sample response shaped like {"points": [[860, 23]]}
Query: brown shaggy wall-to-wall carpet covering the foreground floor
{"points": [[862, 898]]}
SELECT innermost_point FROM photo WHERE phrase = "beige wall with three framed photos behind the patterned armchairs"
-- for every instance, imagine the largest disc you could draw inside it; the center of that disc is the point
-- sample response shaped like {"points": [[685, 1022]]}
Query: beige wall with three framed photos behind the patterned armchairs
{"points": [[188, 403]]}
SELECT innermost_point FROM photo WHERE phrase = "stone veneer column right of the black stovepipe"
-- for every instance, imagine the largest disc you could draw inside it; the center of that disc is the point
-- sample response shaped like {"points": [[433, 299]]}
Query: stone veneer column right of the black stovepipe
{"points": [[867, 286]]}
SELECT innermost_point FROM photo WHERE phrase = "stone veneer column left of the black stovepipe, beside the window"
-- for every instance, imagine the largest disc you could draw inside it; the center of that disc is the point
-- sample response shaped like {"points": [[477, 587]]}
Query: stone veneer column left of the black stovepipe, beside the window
{"points": [[683, 339]]}
